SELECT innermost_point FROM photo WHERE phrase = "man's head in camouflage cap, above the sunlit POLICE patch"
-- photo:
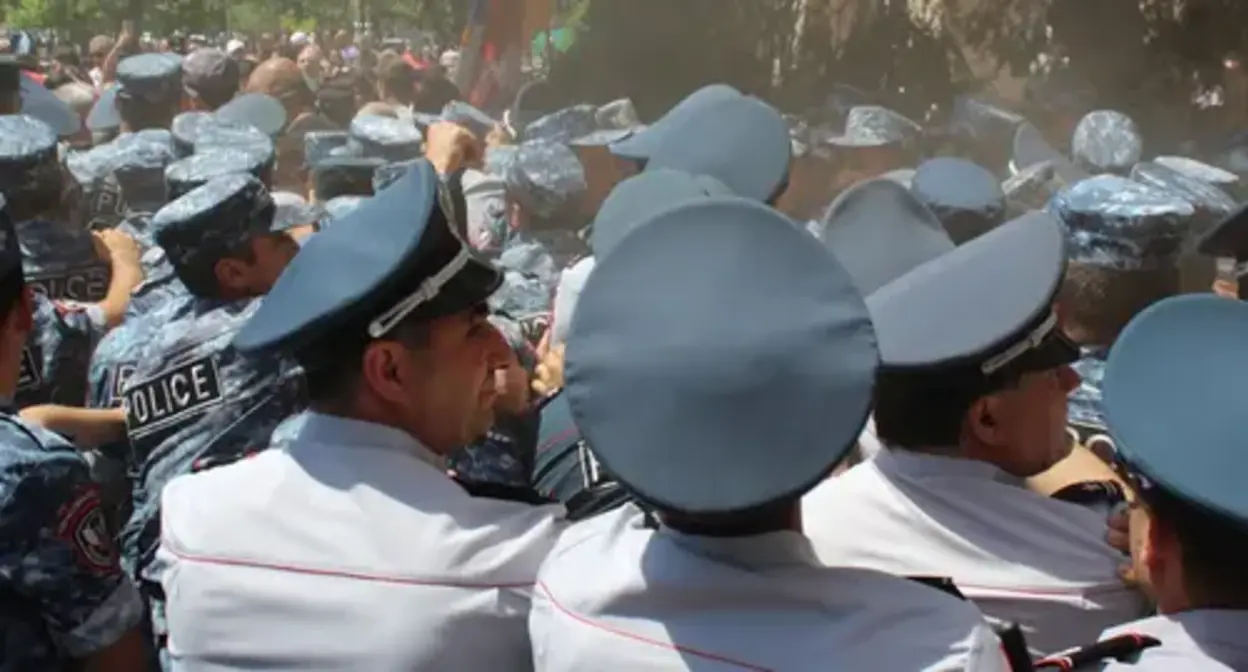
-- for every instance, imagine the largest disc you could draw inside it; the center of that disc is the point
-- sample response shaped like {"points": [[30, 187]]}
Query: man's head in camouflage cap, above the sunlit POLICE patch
{"points": [[220, 242]]}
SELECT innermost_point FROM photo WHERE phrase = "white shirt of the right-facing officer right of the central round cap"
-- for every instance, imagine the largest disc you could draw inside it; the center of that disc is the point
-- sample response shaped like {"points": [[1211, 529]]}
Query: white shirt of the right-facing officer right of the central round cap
{"points": [[1023, 558]]}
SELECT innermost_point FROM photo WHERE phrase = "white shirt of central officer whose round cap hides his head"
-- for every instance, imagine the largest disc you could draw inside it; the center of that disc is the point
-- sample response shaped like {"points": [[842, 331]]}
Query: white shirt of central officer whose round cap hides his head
{"points": [[617, 595]]}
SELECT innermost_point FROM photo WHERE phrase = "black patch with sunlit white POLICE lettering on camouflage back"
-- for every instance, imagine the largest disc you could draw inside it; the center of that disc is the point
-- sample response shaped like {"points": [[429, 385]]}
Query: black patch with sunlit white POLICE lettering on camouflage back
{"points": [[172, 397]]}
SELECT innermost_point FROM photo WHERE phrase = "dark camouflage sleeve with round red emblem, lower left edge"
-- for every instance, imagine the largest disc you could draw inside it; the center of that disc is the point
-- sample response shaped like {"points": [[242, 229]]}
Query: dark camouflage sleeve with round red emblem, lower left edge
{"points": [[66, 564]]}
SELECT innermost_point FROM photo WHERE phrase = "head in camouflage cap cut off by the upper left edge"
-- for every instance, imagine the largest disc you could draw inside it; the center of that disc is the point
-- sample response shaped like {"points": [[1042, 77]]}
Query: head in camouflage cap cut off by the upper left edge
{"points": [[31, 170]]}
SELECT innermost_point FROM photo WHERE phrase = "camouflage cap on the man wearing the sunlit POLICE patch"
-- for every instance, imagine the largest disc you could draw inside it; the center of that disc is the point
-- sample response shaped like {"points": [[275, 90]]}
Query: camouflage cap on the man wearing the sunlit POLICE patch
{"points": [[213, 220]]}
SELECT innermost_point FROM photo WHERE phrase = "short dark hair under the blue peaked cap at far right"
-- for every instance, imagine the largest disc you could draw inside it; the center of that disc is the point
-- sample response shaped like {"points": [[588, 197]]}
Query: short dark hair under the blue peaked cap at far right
{"points": [[1215, 550]]}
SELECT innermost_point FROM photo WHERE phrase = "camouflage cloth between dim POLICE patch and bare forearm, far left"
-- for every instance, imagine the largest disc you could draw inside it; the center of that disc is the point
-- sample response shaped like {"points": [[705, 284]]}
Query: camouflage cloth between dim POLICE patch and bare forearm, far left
{"points": [[58, 354]]}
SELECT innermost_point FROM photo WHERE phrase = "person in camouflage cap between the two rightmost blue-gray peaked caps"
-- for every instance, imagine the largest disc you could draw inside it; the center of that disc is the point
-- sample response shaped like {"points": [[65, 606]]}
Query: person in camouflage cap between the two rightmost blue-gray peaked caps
{"points": [[1126, 240]]}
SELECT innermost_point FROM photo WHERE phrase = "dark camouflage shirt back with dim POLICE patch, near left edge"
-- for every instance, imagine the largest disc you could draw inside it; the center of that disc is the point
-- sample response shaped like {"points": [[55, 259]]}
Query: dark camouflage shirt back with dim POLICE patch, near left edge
{"points": [[62, 260]]}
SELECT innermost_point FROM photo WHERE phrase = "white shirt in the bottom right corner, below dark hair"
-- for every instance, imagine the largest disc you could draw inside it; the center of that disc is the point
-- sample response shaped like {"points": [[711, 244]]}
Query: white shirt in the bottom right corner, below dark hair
{"points": [[1192, 641]]}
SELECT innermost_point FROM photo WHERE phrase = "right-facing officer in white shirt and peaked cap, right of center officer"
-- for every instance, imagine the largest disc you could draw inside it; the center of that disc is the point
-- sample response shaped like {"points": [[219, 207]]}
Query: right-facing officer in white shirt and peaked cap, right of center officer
{"points": [[970, 402]]}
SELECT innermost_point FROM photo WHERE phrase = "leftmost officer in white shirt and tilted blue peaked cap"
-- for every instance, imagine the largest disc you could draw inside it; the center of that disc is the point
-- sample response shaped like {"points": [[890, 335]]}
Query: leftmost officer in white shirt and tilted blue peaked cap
{"points": [[389, 322]]}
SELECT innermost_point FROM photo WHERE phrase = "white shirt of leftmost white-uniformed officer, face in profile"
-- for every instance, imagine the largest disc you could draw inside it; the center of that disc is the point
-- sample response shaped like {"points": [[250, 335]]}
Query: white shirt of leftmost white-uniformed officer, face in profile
{"points": [[348, 550]]}
